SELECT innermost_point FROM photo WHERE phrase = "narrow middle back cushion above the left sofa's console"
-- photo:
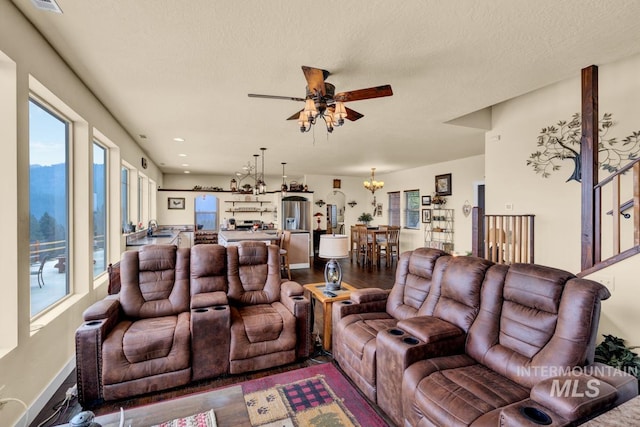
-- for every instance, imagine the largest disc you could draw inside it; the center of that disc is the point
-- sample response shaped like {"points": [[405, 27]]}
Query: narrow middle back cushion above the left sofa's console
{"points": [[208, 269]]}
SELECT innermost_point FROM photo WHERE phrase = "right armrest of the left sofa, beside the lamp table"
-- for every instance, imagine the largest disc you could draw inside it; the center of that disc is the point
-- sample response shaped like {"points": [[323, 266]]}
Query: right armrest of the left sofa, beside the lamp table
{"points": [[300, 307]]}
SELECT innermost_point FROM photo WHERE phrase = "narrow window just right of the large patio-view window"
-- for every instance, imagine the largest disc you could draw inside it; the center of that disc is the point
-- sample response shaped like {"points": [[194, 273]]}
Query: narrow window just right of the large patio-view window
{"points": [[99, 209]]}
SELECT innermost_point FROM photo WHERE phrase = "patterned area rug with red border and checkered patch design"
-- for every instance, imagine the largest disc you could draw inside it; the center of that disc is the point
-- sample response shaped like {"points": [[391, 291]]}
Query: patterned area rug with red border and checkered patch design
{"points": [[314, 396]]}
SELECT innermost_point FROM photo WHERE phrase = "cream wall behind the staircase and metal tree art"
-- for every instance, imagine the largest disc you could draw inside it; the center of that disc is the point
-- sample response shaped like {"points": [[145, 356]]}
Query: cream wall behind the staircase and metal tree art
{"points": [[556, 203]]}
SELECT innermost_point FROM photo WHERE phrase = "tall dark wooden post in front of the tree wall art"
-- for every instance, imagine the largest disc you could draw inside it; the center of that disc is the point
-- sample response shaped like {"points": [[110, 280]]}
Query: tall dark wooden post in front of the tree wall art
{"points": [[589, 162]]}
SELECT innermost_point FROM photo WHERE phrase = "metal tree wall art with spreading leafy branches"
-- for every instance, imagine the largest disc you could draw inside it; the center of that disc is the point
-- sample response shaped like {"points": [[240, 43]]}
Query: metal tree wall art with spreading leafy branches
{"points": [[562, 142]]}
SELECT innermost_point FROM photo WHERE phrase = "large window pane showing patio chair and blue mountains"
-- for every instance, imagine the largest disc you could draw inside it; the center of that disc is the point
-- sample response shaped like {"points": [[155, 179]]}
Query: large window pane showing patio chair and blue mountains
{"points": [[48, 206]]}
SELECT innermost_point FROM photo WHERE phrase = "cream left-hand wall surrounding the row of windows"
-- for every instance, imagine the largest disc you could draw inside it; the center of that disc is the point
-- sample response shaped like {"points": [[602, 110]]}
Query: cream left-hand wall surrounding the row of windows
{"points": [[33, 354]]}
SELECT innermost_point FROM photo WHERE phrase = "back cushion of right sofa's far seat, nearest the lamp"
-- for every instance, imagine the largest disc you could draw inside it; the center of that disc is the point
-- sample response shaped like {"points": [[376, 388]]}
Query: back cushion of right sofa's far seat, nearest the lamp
{"points": [[413, 282]]}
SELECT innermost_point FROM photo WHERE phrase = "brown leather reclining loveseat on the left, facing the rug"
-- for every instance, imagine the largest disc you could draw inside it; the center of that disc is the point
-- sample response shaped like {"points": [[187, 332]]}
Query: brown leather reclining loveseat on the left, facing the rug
{"points": [[183, 315]]}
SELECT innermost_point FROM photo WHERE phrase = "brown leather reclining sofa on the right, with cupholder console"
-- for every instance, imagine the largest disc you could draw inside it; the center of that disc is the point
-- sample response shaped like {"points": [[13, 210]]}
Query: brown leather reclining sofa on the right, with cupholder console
{"points": [[461, 341]]}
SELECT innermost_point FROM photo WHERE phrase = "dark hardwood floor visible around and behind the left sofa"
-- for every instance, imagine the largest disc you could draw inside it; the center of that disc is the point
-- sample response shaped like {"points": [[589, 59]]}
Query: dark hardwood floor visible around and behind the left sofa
{"points": [[358, 276]]}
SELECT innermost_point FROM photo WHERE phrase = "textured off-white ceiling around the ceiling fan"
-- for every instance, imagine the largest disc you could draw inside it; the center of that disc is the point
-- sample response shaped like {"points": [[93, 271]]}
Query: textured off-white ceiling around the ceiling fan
{"points": [[184, 69]]}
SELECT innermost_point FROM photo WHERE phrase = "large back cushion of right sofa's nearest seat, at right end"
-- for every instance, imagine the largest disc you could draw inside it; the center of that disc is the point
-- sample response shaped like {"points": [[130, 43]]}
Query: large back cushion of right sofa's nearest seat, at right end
{"points": [[537, 323]]}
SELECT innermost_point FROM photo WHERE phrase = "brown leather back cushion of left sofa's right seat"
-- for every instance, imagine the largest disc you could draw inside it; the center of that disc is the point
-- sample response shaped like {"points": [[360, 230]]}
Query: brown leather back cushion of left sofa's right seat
{"points": [[253, 271]]}
